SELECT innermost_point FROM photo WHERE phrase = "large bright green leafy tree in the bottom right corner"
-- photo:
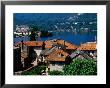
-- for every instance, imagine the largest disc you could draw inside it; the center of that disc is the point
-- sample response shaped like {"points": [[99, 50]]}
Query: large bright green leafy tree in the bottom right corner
{"points": [[81, 67]]}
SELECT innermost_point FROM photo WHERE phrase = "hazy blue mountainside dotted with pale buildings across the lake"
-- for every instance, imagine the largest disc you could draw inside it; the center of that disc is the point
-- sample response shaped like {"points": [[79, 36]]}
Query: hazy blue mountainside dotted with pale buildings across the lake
{"points": [[57, 21]]}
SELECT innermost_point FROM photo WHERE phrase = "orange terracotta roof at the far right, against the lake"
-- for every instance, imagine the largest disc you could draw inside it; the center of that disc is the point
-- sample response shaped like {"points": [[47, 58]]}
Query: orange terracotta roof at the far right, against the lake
{"points": [[87, 46]]}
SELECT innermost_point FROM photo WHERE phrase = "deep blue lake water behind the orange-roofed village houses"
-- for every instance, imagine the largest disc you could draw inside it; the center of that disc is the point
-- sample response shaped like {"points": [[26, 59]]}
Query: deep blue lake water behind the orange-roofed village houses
{"points": [[76, 39]]}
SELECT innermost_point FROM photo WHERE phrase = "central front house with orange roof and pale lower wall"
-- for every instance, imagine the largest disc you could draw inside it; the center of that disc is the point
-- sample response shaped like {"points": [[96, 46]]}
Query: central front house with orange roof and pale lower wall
{"points": [[56, 60]]}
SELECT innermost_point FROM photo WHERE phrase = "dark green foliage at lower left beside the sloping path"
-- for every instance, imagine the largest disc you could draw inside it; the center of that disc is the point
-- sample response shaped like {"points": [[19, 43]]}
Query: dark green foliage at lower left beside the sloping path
{"points": [[35, 71]]}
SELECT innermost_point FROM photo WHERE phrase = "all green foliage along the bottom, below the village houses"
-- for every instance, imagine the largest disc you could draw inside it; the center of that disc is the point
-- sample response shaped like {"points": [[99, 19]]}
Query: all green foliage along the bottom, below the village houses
{"points": [[77, 67]]}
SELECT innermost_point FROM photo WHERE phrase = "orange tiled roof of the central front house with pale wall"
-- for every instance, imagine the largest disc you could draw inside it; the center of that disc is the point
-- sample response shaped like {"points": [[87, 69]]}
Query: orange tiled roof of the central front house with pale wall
{"points": [[57, 55]]}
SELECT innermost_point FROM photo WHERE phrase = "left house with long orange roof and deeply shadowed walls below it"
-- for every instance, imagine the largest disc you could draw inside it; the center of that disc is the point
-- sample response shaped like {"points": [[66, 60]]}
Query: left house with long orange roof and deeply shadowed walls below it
{"points": [[30, 50]]}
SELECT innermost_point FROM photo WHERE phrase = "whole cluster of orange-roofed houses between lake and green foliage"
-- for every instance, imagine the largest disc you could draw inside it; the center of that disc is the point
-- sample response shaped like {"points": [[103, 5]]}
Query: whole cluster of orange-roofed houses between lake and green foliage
{"points": [[52, 53]]}
